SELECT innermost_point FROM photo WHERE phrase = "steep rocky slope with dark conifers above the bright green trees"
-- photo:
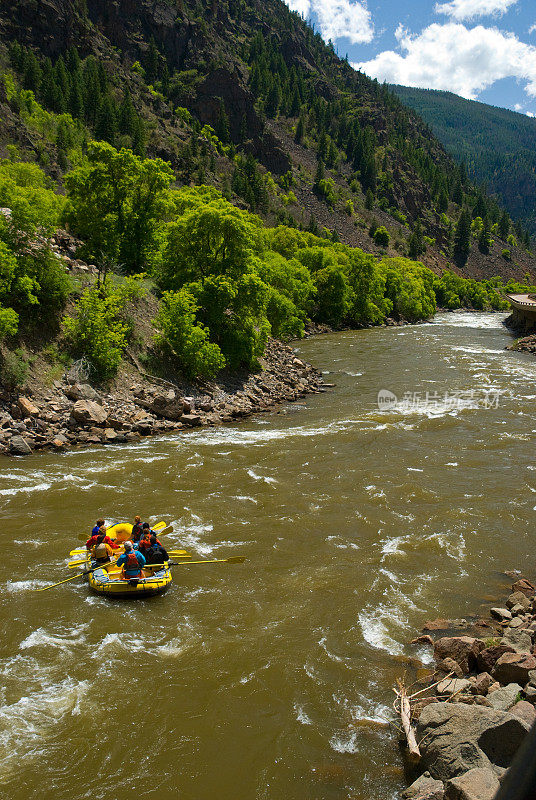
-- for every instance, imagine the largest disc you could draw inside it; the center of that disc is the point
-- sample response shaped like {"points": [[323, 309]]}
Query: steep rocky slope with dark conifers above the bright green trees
{"points": [[294, 133]]}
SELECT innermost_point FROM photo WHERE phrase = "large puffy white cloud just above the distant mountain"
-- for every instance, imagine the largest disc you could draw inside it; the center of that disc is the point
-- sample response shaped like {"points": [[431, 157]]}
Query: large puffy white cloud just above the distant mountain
{"points": [[458, 59]]}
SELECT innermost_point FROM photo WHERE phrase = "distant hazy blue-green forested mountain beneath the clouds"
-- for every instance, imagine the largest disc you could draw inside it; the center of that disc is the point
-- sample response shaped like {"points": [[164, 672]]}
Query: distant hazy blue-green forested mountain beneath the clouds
{"points": [[467, 128]]}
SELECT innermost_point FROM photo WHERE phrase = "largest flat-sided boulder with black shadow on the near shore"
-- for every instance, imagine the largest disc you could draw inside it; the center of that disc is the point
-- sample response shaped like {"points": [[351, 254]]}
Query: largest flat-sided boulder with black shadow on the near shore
{"points": [[458, 737]]}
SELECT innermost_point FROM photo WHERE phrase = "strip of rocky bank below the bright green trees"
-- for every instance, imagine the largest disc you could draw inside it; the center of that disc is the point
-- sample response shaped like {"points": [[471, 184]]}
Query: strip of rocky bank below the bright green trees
{"points": [[73, 413]]}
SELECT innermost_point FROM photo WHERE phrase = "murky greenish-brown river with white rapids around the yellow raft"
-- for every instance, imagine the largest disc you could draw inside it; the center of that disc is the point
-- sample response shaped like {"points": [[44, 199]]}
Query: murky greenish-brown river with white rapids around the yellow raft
{"points": [[269, 680]]}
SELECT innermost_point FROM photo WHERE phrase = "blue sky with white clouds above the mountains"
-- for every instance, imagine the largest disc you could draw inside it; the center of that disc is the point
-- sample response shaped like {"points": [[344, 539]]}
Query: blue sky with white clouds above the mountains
{"points": [[480, 49]]}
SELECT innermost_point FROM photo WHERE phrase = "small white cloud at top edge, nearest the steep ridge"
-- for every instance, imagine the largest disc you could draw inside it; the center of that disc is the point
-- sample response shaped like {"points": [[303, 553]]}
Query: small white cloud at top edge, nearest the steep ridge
{"points": [[338, 18]]}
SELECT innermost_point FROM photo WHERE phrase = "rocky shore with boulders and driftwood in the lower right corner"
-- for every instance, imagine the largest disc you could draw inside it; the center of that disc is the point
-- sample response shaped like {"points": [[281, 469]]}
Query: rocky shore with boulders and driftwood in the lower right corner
{"points": [[473, 712]]}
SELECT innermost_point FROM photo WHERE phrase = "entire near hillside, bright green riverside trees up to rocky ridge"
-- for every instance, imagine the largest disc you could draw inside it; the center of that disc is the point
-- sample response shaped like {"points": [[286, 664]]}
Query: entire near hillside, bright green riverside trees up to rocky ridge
{"points": [[222, 162]]}
